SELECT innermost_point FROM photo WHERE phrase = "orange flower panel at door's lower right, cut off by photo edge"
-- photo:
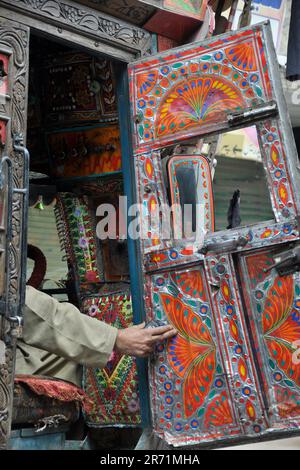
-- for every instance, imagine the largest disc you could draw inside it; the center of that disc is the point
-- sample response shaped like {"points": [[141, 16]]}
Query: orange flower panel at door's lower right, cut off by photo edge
{"points": [[273, 304]]}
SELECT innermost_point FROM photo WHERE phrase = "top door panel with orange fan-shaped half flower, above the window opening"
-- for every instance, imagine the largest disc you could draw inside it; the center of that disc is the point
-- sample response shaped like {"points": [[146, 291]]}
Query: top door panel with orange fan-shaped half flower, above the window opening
{"points": [[190, 91]]}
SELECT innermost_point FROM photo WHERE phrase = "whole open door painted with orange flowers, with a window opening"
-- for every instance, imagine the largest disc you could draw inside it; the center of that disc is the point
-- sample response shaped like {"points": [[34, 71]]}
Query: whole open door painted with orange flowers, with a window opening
{"points": [[231, 373]]}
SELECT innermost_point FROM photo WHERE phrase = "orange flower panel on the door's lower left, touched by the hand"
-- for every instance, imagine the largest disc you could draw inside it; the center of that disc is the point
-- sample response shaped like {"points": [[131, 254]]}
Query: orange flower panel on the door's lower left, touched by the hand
{"points": [[191, 397]]}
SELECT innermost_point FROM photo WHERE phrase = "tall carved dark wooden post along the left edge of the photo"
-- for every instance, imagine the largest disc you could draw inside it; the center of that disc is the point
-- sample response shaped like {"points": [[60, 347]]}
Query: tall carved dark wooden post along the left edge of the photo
{"points": [[14, 43]]}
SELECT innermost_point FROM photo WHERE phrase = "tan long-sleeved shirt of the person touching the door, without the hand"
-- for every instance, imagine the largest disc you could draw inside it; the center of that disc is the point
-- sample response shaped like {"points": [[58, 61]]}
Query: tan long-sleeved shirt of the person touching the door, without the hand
{"points": [[58, 338]]}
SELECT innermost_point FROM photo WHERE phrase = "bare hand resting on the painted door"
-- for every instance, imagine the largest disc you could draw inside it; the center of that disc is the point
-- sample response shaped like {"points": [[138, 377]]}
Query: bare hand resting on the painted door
{"points": [[140, 341]]}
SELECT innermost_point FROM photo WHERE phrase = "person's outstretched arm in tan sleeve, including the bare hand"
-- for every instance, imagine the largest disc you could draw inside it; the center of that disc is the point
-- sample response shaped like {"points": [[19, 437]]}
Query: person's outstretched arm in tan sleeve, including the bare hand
{"points": [[61, 329]]}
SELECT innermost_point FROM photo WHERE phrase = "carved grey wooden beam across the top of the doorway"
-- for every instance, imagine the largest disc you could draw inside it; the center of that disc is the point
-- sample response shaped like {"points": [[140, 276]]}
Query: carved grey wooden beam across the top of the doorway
{"points": [[85, 27]]}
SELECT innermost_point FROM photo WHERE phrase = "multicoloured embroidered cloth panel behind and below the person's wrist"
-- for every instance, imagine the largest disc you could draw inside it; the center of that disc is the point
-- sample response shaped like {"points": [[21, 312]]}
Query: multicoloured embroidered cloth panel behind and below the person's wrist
{"points": [[113, 389]]}
